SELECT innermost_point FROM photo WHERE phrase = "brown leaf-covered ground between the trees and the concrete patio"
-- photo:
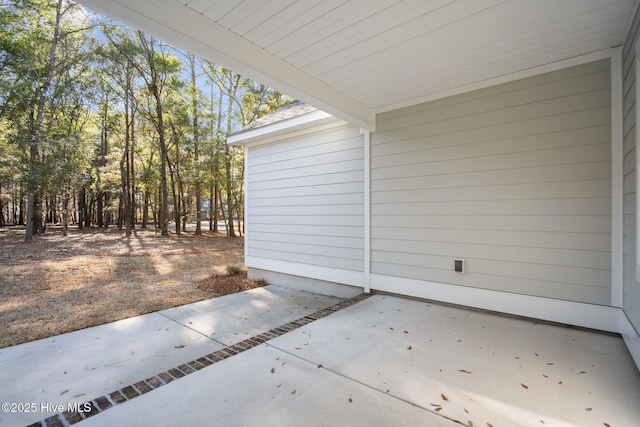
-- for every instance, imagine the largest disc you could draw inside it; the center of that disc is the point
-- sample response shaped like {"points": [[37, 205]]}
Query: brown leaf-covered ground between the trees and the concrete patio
{"points": [[90, 277]]}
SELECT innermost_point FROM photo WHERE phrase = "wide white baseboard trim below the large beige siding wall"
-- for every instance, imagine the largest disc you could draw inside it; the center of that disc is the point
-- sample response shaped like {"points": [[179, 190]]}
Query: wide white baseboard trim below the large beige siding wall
{"points": [[567, 312]]}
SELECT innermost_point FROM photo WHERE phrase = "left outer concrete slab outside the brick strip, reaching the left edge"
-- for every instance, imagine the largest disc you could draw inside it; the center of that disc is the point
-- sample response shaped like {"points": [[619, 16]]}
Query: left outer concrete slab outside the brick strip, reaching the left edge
{"points": [[77, 366]]}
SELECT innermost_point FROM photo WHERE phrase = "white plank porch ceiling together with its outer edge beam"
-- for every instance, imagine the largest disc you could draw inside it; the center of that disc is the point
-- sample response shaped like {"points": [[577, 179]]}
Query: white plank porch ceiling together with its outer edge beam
{"points": [[356, 58]]}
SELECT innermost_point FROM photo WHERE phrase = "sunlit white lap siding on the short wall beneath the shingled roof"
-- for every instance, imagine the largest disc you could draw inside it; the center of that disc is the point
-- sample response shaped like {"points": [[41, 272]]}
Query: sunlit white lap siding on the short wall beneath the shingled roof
{"points": [[305, 200]]}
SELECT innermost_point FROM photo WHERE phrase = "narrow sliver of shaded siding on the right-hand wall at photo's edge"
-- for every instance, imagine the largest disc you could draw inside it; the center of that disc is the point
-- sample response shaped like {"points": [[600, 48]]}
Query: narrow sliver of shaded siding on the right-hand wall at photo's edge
{"points": [[631, 286]]}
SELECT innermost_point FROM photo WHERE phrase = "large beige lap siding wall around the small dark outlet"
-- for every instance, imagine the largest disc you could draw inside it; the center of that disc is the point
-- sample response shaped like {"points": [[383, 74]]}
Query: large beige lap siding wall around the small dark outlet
{"points": [[515, 179]]}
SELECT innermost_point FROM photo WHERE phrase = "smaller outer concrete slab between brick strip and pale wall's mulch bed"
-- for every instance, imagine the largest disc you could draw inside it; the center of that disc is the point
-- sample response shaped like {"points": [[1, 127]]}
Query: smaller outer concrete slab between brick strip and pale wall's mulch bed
{"points": [[239, 316]]}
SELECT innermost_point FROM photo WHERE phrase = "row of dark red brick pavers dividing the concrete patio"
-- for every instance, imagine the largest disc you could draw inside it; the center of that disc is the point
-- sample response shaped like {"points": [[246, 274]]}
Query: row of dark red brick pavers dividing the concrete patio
{"points": [[102, 403]]}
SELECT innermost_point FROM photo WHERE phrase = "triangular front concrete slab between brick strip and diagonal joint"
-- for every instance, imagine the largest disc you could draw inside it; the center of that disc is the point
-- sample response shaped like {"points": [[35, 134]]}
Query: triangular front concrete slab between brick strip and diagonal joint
{"points": [[266, 387]]}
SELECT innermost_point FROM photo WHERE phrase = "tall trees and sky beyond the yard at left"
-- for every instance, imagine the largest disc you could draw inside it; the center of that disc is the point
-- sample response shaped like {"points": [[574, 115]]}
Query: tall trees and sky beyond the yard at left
{"points": [[102, 125]]}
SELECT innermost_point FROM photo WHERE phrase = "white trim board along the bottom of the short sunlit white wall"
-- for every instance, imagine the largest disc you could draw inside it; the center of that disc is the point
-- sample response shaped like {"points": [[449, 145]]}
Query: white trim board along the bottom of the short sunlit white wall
{"points": [[318, 272]]}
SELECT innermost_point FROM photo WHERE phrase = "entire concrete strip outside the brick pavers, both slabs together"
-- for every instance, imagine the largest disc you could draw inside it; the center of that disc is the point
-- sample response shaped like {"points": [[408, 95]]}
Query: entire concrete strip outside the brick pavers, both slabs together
{"points": [[83, 365]]}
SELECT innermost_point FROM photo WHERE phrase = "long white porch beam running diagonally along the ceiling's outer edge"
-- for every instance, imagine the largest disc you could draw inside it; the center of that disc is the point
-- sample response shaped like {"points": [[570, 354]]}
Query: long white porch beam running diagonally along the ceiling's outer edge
{"points": [[181, 26]]}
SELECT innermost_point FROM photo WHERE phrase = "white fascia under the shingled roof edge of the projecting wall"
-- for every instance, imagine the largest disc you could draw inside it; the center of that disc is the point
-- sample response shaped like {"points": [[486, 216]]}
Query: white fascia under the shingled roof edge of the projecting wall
{"points": [[275, 130]]}
